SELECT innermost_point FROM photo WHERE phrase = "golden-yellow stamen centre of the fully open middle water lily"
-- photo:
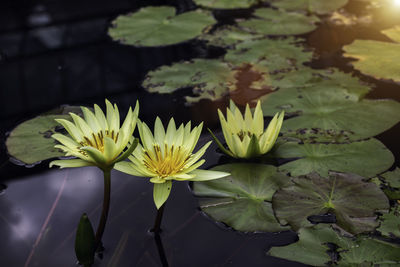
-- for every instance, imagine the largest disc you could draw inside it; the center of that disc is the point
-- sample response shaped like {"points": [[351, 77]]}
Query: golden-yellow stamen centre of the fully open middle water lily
{"points": [[172, 161]]}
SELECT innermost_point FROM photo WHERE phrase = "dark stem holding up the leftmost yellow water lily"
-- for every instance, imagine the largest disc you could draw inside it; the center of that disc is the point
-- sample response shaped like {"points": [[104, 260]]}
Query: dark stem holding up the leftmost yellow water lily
{"points": [[106, 207]]}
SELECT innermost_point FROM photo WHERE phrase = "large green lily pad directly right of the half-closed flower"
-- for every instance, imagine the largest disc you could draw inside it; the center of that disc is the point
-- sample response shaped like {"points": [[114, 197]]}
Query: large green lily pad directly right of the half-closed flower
{"points": [[326, 114]]}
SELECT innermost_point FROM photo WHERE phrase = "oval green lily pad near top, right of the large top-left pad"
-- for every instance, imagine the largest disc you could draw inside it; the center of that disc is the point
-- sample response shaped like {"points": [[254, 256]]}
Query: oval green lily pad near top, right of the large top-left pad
{"points": [[279, 22]]}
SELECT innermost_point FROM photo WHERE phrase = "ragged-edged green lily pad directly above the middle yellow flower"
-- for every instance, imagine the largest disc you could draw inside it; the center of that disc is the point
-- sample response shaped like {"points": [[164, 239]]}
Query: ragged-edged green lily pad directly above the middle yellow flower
{"points": [[209, 78]]}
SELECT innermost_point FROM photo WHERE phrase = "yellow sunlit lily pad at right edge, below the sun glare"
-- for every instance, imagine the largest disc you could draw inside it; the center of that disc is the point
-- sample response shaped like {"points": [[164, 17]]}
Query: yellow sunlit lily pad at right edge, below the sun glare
{"points": [[373, 56]]}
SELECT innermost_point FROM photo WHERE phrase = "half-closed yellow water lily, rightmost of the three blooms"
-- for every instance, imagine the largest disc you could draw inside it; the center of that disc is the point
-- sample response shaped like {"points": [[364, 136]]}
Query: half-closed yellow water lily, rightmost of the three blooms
{"points": [[246, 137]]}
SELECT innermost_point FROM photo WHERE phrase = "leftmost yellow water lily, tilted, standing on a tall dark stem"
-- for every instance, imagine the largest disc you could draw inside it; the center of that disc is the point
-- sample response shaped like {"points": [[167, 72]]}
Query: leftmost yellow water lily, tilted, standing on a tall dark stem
{"points": [[96, 139]]}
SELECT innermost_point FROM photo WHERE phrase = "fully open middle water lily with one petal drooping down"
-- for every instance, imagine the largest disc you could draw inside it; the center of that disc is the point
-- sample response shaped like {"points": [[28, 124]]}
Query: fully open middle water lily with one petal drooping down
{"points": [[168, 156]]}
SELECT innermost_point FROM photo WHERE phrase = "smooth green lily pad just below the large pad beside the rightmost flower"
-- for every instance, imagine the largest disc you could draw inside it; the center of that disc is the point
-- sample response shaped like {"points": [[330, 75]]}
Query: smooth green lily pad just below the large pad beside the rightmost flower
{"points": [[365, 158]]}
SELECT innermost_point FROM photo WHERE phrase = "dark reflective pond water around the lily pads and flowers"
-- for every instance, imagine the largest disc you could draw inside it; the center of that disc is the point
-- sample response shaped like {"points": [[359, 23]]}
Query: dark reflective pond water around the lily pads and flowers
{"points": [[54, 53]]}
